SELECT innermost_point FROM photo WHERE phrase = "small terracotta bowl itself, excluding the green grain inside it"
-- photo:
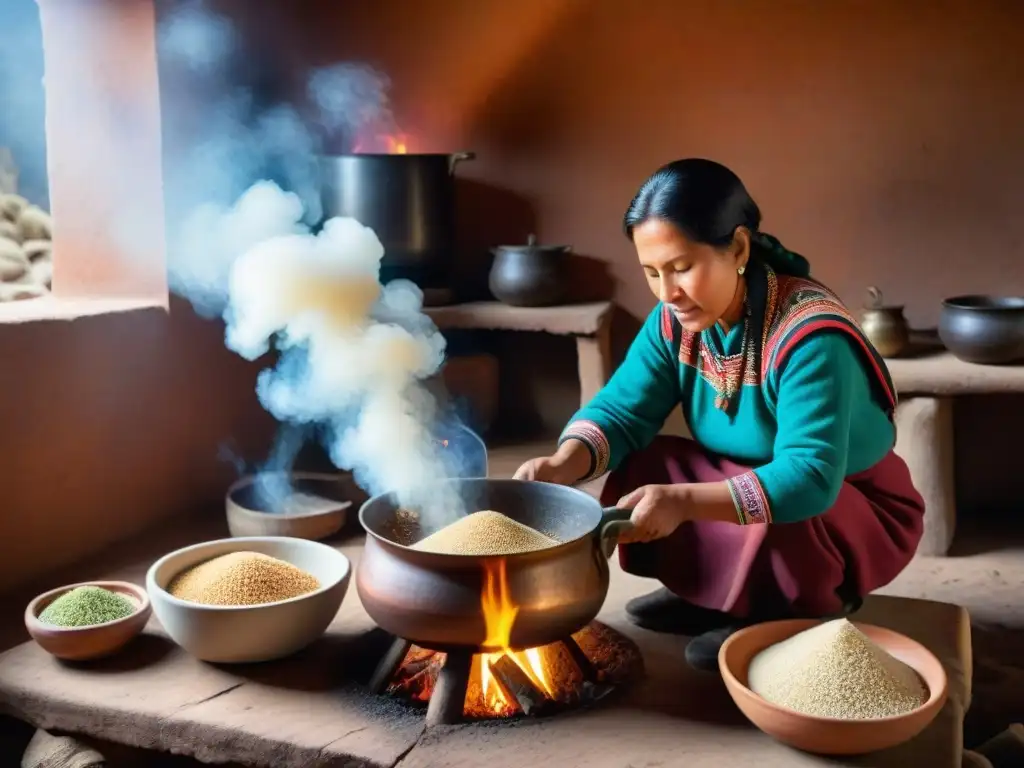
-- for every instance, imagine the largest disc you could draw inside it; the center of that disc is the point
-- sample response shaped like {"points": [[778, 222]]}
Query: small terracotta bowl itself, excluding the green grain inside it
{"points": [[81, 644]]}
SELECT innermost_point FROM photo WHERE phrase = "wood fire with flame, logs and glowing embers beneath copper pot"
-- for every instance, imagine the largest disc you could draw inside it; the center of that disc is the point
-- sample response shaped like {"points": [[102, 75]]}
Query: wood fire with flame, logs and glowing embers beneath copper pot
{"points": [[571, 673]]}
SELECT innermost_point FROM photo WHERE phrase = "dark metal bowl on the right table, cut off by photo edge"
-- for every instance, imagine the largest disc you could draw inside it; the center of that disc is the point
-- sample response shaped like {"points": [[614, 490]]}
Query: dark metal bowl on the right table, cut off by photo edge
{"points": [[987, 330]]}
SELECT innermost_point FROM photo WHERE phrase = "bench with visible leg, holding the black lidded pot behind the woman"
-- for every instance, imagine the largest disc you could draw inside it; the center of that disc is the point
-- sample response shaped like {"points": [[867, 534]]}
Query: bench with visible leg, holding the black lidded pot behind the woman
{"points": [[589, 324]]}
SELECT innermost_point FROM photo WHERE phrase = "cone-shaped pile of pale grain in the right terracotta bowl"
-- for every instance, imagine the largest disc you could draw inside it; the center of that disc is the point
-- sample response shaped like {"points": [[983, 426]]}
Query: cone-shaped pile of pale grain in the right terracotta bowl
{"points": [[834, 670]]}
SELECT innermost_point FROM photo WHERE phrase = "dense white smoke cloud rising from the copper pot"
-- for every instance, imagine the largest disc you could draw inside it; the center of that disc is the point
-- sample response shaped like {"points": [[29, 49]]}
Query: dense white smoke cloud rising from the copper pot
{"points": [[354, 352]]}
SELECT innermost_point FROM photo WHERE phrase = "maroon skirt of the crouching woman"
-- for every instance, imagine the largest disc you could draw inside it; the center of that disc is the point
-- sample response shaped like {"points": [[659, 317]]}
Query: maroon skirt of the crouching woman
{"points": [[808, 569]]}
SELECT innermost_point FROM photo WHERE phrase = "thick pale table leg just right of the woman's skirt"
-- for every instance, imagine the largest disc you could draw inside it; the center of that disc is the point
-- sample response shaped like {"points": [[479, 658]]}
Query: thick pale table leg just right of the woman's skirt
{"points": [[925, 441]]}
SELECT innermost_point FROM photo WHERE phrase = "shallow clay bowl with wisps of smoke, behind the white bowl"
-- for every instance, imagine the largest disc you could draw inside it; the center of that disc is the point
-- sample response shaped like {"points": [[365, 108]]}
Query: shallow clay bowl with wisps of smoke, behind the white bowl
{"points": [[315, 506]]}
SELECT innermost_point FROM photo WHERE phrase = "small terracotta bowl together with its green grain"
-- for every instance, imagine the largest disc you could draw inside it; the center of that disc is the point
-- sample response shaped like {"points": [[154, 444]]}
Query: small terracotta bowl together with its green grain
{"points": [[90, 620]]}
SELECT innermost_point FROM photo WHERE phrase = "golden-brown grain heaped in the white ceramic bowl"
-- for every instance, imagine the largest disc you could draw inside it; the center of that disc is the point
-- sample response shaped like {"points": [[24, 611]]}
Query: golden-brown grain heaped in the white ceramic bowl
{"points": [[242, 579]]}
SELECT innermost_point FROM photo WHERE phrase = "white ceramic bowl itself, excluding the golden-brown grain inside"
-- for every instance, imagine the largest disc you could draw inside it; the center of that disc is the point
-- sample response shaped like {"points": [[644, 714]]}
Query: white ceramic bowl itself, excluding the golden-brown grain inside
{"points": [[250, 633]]}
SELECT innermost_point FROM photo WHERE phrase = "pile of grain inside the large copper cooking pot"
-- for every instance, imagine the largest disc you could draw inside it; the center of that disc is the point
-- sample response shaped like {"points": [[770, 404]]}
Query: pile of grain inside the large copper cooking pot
{"points": [[486, 533]]}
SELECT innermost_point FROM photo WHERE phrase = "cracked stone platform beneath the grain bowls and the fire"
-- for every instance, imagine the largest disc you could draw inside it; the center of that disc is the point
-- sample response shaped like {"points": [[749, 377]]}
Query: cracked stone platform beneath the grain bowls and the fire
{"points": [[309, 710]]}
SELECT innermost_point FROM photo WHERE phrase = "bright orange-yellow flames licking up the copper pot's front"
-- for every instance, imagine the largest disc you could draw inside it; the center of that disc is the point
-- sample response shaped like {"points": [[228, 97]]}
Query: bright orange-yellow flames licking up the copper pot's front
{"points": [[499, 616]]}
